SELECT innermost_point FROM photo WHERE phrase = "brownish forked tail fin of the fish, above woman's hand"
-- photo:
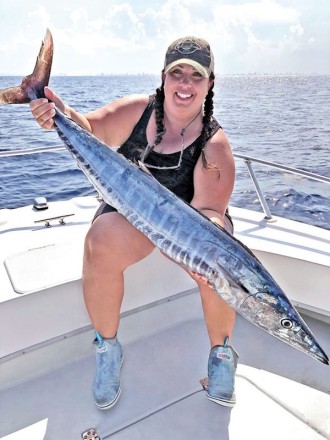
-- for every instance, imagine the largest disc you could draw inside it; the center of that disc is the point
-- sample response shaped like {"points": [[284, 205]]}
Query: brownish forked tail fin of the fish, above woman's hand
{"points": [[32, 86]]}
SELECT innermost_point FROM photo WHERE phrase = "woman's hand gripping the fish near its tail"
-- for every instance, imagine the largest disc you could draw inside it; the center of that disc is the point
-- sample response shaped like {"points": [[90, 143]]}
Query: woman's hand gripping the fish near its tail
{"points": [[43, 109]]}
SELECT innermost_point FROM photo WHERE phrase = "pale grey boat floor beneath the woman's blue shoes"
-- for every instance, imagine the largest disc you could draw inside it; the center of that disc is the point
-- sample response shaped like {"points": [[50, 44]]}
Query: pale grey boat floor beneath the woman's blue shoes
{"points": [[166, 349]]}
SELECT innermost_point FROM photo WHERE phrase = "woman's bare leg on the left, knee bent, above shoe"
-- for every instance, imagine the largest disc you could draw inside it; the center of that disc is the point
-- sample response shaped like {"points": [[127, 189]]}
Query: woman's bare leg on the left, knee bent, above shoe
{"points": [[112, 244]]}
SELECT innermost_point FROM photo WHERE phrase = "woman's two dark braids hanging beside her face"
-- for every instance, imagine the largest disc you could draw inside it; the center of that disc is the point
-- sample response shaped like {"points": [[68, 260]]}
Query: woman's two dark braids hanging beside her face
{"points": [[207, 118]]}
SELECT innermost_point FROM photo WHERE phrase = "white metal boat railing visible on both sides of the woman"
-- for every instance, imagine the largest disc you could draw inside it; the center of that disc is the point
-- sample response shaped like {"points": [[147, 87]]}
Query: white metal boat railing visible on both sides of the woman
{"points": [[248, 160]]}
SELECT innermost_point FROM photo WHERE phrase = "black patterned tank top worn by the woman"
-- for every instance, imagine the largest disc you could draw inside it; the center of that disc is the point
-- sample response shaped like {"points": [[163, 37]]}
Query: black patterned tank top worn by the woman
{"points": [[179, 180]]}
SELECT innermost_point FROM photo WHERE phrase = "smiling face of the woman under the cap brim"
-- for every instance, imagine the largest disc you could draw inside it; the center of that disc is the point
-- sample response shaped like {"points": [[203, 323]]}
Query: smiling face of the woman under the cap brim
{"points": [[185, 87]]}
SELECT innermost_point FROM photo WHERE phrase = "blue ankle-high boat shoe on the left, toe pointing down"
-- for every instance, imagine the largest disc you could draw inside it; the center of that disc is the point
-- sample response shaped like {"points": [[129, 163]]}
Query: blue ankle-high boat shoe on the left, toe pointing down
{"points": [[106, 383]]}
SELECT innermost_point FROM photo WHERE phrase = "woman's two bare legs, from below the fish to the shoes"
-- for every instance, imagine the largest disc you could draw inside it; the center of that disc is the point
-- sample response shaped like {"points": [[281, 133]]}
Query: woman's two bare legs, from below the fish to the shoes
{"points": [[113, 244]]}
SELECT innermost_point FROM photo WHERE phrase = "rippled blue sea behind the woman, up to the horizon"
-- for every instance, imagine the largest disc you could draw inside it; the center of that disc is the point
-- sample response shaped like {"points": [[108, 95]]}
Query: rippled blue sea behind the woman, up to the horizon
{"points": [[282, 118]]}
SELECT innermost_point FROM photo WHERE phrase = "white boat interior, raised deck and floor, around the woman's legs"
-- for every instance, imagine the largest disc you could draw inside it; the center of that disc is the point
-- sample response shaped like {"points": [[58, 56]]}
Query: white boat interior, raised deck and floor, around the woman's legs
{"points": [[46, 354]]}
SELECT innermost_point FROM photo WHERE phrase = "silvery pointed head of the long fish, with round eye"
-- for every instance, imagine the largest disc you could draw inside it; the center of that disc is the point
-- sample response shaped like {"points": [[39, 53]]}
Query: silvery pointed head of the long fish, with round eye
{"points": [[273, 312]]}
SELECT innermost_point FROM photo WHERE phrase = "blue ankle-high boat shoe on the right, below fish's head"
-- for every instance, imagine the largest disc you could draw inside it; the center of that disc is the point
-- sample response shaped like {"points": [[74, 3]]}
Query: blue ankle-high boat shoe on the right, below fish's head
{"points": [[222, 366]]}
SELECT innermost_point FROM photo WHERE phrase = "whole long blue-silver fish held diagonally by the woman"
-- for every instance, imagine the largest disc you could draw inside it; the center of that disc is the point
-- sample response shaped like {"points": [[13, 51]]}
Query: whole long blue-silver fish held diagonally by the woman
{"points": [[178, 230]]}
